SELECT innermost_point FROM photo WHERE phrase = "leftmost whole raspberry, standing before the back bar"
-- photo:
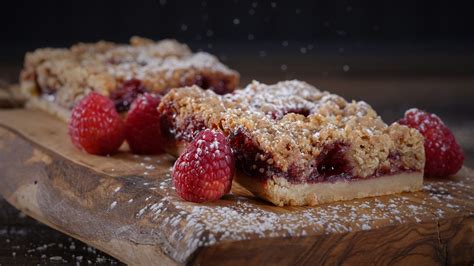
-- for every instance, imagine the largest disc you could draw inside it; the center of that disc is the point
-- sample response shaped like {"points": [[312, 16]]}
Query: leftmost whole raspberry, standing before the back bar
{"points": [[95, 125]]}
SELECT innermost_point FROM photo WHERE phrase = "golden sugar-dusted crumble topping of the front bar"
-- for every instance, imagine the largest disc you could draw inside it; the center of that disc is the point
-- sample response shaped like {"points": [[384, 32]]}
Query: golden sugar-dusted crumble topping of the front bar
{"points": [[292, 123]]}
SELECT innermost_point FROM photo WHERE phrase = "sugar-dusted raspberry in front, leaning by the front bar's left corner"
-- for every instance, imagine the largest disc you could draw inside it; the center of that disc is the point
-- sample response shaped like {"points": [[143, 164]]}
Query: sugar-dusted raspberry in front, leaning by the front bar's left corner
{"points": [[204, 171]]}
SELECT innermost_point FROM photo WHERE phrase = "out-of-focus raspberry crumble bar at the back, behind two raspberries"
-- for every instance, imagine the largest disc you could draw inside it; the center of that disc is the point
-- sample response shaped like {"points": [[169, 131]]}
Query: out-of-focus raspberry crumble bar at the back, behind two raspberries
{"points": [[54, 79]]}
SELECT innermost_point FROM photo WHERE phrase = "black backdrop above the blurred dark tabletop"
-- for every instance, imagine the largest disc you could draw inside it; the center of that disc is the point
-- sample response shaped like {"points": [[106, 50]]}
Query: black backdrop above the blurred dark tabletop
{"points": [[227, 27]]}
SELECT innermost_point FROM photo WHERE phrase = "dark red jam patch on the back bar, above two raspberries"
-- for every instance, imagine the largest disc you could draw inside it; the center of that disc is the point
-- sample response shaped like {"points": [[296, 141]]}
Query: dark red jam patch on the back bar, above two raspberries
{"points": [[126, 94]]}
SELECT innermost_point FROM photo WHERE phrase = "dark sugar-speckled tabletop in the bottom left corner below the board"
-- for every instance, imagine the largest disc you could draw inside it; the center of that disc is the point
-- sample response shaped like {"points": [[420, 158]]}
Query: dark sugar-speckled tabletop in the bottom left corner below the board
{"points": [[23, 240]]}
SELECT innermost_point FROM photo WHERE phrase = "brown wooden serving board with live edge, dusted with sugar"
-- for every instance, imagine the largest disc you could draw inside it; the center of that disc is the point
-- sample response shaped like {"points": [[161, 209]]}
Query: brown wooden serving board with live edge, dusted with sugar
{"points": [[125, 205]]}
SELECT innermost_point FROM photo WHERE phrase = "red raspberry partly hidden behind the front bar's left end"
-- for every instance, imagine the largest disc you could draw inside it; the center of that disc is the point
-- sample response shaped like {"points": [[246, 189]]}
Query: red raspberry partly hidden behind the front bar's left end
{"points": [[142, 125]]}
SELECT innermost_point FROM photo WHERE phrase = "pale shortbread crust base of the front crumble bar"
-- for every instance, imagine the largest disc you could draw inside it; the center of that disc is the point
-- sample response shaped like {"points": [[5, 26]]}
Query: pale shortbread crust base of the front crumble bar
{"points": [[280, 192]]}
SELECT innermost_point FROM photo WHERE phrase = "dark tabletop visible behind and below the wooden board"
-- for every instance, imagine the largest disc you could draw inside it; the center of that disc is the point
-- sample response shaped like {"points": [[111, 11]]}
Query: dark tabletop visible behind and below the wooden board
{"points": [[448, 91]]}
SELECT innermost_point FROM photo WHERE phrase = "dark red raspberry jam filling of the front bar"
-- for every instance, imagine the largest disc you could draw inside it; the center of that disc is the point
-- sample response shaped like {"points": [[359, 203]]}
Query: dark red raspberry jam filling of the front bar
{"points": [[330, 166]]}
